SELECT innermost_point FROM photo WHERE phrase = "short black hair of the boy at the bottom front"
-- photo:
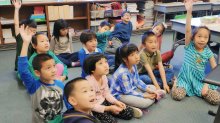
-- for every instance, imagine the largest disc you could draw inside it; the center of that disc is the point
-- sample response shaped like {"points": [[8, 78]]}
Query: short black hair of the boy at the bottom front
{"points": [[69, 87]]}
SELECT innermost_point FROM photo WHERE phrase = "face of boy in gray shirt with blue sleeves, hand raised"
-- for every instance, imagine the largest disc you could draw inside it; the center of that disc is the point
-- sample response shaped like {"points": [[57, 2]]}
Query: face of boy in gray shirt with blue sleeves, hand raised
{"points": [[48, 70]]}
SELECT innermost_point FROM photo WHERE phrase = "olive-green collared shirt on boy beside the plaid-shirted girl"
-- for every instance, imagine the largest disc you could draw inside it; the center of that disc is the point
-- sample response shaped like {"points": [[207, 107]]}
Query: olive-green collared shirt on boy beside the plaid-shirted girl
{"points": [[149, 58]]}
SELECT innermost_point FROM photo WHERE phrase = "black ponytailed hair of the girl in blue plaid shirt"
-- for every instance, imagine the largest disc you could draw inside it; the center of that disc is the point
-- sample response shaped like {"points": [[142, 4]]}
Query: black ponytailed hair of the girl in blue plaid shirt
{"points": [[123, 52]]}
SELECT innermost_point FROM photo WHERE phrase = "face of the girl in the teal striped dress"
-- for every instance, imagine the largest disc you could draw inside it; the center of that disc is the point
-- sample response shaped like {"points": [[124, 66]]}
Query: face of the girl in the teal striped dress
{"points": [[201, 38]]}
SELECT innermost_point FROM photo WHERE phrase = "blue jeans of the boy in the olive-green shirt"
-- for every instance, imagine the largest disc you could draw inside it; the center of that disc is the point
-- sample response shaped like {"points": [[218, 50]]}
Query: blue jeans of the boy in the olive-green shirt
{"points": [[169, 75]]}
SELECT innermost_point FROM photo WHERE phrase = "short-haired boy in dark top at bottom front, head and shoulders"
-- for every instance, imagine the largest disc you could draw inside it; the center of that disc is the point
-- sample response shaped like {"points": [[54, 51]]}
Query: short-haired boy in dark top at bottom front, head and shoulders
{"points": [[81, 96]]}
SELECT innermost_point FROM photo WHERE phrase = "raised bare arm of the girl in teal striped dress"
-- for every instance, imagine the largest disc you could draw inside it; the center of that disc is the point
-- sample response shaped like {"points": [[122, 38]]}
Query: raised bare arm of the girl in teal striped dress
{"points": [[188, 6]]}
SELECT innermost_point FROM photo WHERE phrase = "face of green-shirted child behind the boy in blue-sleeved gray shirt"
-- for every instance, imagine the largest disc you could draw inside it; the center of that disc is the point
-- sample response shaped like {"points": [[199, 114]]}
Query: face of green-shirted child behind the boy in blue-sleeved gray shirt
{"points": [[43, 44]]}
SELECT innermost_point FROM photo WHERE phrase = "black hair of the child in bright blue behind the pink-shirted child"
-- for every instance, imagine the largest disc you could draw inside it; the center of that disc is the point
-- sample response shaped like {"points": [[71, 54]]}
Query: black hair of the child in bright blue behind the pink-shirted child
{"points": [[87, 36]]}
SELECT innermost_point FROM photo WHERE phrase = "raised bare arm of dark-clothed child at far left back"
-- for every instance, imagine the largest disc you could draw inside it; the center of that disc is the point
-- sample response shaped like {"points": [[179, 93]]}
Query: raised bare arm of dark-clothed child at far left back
{"points": [[17, 5]]}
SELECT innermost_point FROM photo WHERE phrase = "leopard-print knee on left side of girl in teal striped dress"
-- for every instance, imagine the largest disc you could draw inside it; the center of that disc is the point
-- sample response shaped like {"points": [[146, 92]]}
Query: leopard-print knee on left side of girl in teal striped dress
{"points": [[178, 93]]}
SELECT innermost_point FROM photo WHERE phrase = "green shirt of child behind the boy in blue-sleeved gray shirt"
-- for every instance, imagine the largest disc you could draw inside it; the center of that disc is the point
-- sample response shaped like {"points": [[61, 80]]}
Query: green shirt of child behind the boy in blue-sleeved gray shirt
{"points": [[65, 71]]}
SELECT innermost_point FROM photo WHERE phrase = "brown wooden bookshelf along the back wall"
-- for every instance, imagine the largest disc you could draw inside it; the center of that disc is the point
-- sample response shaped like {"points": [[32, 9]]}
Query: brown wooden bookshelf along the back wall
{"points": [[80, 21]]}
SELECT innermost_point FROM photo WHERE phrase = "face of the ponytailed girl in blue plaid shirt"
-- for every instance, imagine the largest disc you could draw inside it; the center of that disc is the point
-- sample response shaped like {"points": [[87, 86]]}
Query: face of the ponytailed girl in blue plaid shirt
{"points": [[133, 58]]}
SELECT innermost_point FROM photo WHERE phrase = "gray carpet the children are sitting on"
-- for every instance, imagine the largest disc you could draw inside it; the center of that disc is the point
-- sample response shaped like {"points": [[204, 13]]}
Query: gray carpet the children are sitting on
{"points": [[15, 102]]}
